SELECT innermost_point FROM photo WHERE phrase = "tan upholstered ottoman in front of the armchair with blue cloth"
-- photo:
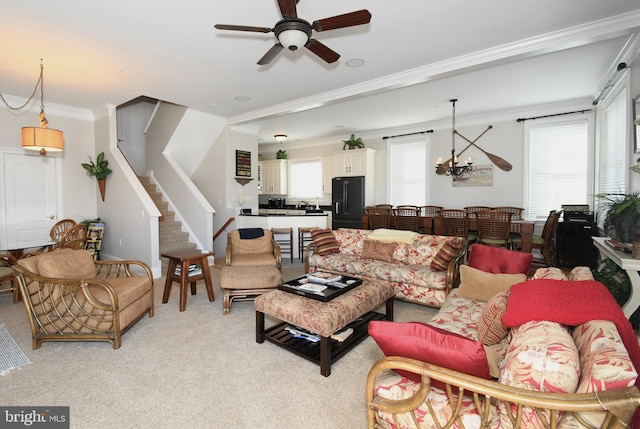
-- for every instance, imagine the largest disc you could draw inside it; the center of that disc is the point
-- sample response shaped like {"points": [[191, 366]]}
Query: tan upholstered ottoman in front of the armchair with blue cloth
{"points": [[241, 283]]}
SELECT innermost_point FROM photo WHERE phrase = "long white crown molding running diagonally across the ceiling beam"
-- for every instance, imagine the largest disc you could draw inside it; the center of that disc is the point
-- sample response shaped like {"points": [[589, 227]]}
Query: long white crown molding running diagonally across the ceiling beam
{"points": [[554, 41]]}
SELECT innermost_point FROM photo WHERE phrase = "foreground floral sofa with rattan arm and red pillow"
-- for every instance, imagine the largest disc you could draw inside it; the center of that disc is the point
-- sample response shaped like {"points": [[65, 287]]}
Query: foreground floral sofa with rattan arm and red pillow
{"points": [[544, 374]]}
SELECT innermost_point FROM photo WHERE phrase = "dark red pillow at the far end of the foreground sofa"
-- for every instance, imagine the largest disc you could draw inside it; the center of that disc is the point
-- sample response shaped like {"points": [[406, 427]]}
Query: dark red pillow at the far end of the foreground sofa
{"points": [[499, 261]]}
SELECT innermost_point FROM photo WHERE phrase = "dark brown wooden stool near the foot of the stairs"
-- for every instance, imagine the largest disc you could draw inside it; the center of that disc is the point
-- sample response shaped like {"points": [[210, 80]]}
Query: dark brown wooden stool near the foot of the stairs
{"points": [[185, 259]]}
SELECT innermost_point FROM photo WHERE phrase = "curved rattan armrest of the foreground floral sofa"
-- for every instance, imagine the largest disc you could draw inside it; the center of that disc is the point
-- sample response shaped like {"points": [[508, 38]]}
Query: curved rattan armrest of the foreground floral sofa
{"points": [[619, 404]]}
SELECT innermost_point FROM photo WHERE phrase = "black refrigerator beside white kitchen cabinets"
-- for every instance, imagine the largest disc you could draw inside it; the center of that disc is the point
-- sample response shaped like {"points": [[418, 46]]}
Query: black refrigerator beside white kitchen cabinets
{"points": [[347, 201]]}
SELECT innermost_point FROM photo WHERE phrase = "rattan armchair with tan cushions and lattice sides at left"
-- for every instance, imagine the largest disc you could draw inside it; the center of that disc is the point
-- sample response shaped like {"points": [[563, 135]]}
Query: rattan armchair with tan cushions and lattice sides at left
{"points": [[69, 297]]}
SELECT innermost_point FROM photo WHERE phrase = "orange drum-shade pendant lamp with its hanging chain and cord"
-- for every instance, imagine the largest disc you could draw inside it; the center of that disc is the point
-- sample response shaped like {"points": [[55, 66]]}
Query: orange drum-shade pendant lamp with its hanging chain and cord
{"points": [[41, 138]]}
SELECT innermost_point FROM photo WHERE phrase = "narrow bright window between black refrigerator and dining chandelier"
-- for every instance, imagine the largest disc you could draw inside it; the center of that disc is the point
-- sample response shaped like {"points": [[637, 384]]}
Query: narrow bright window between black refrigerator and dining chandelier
{"points": [[407, 171]]}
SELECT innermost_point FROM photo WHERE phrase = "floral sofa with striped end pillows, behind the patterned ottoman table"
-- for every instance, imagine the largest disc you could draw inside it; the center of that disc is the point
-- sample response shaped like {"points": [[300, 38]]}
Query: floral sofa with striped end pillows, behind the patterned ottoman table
{"points": [[422, 268]]}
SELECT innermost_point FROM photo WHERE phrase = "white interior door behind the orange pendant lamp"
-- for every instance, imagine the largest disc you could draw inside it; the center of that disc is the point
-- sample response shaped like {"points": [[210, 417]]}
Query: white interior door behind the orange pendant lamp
{"points": [[30, 191]]}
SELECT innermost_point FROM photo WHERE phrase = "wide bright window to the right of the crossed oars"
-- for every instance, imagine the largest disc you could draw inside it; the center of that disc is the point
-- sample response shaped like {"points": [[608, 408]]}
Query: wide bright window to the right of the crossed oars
{"points": [[557, 153]]}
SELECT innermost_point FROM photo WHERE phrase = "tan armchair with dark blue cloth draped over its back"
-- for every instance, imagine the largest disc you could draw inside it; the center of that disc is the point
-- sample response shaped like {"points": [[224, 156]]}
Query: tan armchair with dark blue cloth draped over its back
{"points": [[257, 251]]}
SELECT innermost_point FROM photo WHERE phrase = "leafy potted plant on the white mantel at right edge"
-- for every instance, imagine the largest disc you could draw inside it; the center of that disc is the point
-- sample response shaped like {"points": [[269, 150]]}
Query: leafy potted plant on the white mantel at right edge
{"points": [[621, 215]]}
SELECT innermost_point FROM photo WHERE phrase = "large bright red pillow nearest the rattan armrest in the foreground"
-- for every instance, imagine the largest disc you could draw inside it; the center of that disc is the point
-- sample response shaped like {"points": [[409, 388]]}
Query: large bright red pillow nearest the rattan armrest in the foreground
{"points": [[430, 344]]}
